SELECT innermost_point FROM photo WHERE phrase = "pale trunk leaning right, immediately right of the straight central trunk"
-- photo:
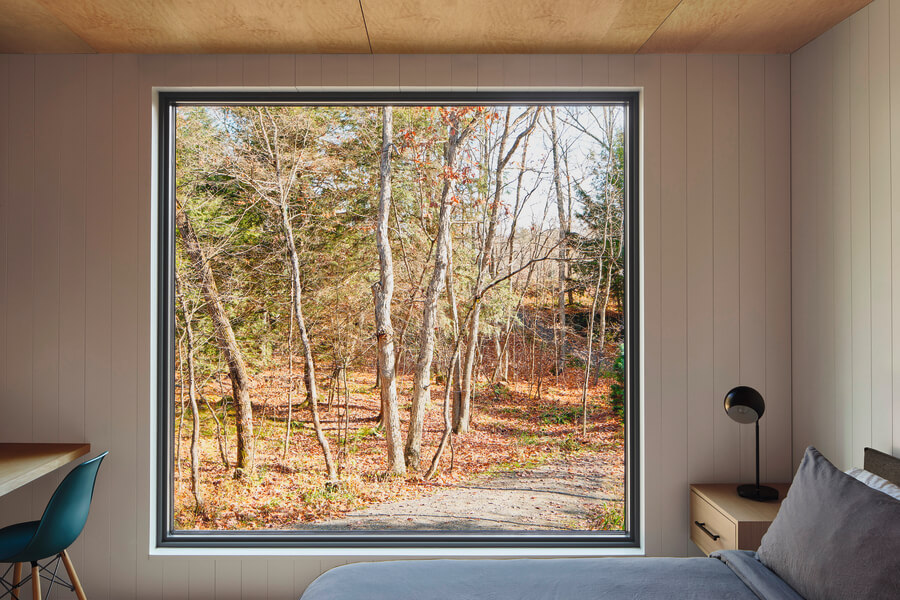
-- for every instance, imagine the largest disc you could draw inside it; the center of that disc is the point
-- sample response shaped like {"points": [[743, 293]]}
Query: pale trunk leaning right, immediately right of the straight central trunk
{"points": [[422, 377]]}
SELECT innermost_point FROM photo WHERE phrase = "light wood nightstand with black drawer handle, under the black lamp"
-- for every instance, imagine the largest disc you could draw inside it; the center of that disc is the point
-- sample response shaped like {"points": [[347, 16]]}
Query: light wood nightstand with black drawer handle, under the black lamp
{"points": [[722, 520]]}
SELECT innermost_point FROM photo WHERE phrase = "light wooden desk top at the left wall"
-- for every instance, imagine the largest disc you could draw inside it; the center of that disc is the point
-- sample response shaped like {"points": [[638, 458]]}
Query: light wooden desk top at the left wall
{"points": [[23, 463]]}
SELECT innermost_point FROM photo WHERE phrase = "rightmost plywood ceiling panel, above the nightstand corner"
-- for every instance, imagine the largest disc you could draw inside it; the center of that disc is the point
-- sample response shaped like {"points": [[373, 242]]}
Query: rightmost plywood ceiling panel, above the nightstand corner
{"points": [[747, 26]]}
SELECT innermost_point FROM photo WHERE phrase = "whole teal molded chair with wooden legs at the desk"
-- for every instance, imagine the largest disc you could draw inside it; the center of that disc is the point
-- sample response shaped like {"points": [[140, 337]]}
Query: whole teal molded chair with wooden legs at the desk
{"points": [[49, 538]]}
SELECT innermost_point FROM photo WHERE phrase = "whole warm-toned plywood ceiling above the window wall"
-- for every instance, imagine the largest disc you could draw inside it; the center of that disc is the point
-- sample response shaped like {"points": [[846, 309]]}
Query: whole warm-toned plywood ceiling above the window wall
{"points": [[416, 26]]}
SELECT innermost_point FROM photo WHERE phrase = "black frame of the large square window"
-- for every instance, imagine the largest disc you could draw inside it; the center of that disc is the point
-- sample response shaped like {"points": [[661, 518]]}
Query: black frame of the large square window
{"points": [[168, 537]]}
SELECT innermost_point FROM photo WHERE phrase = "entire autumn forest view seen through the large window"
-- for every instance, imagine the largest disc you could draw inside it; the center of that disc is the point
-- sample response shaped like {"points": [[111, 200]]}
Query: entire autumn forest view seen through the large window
{"points": [[399, 317]]}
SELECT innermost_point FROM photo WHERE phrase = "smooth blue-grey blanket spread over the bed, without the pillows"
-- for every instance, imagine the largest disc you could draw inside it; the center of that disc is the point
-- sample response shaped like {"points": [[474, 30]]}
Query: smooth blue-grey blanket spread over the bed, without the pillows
{"points": [[550, 579]]}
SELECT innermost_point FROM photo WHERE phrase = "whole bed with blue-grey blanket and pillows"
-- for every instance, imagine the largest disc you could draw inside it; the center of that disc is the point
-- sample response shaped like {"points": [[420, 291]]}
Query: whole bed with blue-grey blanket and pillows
{"points": [[837, 535]]}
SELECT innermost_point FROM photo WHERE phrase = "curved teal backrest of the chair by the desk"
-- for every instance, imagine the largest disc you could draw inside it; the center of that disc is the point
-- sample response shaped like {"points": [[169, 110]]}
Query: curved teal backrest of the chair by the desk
{"points": [[67, 511]]}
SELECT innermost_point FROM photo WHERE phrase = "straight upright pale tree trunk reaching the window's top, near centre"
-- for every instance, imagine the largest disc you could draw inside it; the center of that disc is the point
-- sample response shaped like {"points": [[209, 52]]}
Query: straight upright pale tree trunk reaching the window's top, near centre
{"points": [[384, 292]]}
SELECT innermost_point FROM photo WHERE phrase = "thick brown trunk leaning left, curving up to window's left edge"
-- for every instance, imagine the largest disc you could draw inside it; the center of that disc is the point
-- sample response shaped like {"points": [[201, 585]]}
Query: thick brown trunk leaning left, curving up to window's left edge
{"points": [[237, 370]]}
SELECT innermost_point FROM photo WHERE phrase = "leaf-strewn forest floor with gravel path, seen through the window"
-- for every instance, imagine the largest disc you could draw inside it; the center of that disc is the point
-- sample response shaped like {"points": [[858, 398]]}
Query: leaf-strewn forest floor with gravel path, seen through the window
{"points": [[524, 449]]}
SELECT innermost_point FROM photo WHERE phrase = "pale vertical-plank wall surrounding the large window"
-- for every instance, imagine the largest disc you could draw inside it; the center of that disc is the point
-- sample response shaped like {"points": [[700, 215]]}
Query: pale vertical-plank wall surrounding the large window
{"points": [[75, 187]]}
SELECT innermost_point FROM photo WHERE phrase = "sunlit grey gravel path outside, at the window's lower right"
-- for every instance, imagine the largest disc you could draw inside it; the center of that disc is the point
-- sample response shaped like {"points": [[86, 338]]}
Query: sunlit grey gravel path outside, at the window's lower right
{"points": [[554, 496]]}
